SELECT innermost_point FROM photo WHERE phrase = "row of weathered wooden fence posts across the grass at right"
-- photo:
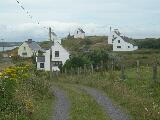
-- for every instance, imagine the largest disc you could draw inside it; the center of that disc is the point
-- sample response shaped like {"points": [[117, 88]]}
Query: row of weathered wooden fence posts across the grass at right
{"points": [[137, 72]]}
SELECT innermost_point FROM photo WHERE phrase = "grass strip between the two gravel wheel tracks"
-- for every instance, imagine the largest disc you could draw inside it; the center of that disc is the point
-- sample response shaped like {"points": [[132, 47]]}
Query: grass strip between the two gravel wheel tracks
{"points": [[83, 106]]}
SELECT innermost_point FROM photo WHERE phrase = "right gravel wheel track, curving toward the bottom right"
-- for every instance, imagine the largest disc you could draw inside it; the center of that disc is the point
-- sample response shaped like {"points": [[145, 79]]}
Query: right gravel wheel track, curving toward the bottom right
{"points": [[114, 112]]}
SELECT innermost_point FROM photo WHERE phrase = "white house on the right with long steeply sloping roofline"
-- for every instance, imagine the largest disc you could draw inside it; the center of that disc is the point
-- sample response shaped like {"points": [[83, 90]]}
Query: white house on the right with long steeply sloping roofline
{"points": [[120, 42]]}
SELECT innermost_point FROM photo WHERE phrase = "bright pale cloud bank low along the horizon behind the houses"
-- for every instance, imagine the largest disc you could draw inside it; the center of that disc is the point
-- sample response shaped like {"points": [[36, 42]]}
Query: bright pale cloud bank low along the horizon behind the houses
{"points": [[21, 32]]}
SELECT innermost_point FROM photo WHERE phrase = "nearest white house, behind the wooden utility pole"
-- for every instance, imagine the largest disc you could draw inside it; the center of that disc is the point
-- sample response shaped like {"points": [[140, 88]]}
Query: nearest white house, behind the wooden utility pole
{"points": [[52, 58]]}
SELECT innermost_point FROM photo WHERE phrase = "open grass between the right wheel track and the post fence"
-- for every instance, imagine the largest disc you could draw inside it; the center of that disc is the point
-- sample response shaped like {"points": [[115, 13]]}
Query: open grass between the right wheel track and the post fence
{"points": [[140, 98]]}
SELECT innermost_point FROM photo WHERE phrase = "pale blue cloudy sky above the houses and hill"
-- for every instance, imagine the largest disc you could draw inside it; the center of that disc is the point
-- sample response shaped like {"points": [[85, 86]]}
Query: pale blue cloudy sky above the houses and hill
{"points": [[134, 18]]}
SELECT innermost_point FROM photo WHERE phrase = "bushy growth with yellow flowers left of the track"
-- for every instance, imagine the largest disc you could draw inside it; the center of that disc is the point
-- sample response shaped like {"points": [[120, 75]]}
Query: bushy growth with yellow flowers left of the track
{"points": [[19, 89]]}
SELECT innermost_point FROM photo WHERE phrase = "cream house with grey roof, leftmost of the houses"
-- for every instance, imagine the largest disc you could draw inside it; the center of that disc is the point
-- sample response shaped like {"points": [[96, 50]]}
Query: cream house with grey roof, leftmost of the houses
{"points": [[29, 48]]}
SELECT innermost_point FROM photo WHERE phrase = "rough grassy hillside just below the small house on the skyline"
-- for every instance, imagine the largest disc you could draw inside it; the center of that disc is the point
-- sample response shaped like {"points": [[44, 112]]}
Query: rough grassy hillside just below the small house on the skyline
{"points": [[90, 43]]}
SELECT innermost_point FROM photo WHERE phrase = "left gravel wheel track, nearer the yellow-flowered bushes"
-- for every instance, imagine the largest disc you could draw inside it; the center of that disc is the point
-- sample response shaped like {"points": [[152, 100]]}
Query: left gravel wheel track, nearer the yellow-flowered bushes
{"points": [[62, 105]]}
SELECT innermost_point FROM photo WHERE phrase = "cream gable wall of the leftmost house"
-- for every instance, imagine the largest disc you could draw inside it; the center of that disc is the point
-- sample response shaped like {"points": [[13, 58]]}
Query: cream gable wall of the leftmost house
{"points": [[26, 50]]}
